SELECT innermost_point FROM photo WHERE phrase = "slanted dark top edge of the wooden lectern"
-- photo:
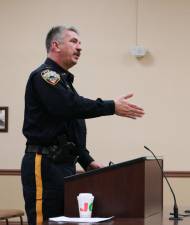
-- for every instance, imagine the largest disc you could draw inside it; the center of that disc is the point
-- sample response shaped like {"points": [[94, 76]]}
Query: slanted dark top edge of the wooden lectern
{"points": [[113, 166]]}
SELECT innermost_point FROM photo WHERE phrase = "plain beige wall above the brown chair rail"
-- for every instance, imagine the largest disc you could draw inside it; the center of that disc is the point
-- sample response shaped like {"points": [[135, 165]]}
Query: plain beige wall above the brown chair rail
{"points": [[160, 81]]}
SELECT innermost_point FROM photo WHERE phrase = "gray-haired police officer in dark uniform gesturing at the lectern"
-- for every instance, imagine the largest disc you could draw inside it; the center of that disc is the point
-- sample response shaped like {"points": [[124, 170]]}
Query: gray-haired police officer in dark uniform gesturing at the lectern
{"points": [[54, 126]]}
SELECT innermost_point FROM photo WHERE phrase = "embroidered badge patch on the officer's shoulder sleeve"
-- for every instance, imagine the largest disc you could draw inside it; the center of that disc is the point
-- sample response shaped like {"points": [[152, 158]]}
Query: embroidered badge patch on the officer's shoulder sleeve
{"points": [[50, 76]]}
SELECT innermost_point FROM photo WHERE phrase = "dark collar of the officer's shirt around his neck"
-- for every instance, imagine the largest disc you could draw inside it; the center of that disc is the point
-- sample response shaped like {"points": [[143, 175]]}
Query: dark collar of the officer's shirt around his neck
{"points": [[54, 66]]}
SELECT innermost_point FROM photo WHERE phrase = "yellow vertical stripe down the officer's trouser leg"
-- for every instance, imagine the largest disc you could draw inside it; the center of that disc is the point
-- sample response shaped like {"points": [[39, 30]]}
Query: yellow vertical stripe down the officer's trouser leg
{"points": [[38, 177]]}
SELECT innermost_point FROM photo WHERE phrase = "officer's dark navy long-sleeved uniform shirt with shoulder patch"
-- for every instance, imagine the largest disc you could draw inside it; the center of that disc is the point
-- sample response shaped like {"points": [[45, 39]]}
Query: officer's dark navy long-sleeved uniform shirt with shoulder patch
{"points": [[53, 107]]}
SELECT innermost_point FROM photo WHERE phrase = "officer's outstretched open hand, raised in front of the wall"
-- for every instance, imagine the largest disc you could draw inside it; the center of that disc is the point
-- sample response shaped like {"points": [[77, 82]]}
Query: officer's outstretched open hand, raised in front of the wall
{"points": [[126, 109]]}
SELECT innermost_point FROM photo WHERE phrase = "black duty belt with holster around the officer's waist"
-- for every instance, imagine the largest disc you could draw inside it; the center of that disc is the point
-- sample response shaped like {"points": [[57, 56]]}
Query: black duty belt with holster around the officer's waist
{"points": [[55, 153]]}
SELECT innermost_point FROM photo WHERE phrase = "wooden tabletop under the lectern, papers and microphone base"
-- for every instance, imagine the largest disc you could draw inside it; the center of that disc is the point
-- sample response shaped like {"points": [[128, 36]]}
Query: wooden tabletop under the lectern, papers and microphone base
{"points": [[158, 219]]}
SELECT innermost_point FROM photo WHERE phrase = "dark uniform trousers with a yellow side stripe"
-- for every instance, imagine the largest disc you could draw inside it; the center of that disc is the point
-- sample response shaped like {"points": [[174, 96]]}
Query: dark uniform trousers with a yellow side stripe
{"points": [[43, 186]]}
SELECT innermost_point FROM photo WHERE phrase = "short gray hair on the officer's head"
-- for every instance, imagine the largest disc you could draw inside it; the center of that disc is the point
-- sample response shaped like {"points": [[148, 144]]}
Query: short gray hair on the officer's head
{"points": [[55, 34]]}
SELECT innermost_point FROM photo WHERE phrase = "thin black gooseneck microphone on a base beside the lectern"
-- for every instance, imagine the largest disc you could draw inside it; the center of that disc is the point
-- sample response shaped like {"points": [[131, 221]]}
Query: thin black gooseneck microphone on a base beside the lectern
{"points": [[175, 208]]}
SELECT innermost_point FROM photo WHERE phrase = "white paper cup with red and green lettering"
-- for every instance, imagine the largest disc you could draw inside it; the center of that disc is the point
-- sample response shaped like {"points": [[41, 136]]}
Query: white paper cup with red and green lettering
{"points": [[85, 204]]}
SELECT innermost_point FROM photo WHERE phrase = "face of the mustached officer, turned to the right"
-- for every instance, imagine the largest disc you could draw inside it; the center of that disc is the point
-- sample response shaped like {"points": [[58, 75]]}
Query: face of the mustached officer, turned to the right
{"points": [[69, 49]]}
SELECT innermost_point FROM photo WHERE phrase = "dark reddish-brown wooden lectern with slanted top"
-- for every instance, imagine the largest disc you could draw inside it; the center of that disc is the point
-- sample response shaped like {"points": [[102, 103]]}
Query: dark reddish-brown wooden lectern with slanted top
{"points": [[129, 189]]}
